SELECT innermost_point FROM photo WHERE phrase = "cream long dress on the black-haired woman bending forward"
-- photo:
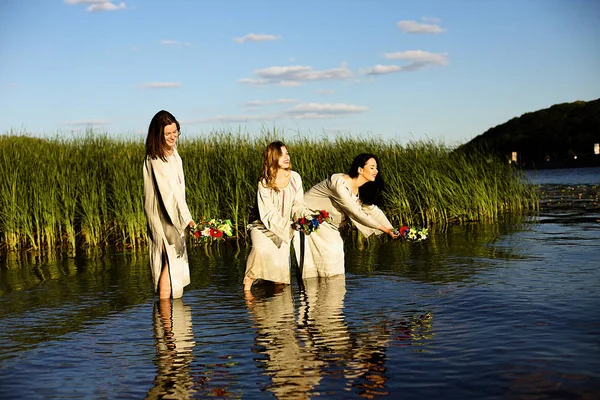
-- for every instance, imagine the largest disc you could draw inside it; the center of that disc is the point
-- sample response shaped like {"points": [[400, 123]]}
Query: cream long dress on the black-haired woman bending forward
{"points": [[324, 249]]}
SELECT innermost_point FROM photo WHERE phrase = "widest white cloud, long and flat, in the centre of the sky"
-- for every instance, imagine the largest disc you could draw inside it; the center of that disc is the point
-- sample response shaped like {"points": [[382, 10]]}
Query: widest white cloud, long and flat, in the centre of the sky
{"points": [[293, 75]]}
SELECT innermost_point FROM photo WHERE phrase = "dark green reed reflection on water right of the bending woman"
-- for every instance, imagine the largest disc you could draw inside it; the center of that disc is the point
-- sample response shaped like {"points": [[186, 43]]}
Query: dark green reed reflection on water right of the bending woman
{"points": [[457, 255]]}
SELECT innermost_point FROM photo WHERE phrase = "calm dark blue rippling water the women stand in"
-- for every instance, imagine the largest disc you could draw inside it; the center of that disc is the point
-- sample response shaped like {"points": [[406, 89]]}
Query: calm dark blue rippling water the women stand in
{"points": [[481, 311]]}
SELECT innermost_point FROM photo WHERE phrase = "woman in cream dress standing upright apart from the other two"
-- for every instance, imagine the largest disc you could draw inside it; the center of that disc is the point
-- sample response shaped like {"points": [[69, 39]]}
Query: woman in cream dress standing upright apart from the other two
{"points": [[166, 210]]}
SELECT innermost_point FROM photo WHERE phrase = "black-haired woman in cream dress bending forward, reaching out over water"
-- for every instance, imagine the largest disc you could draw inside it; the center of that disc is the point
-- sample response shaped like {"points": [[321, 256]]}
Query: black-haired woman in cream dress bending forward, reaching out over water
{"points": [[352, 196]]}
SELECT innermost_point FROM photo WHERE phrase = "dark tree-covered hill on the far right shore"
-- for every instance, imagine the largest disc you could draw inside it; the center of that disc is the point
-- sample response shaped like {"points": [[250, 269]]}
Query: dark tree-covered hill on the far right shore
{"points": [[559, 136]]}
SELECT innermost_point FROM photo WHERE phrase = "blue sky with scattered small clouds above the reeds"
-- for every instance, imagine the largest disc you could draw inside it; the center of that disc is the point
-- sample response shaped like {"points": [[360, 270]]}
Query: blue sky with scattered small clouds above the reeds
{"points": [[445, 70]]}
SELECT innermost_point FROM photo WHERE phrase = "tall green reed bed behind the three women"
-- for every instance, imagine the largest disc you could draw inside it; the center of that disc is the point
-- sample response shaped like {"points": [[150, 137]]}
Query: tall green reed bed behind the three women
{"points": [[86, 192]]}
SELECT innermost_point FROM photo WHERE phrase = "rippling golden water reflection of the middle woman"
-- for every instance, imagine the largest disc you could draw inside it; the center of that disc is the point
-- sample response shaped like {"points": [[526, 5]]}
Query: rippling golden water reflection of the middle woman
{"points": [[293, 368]]}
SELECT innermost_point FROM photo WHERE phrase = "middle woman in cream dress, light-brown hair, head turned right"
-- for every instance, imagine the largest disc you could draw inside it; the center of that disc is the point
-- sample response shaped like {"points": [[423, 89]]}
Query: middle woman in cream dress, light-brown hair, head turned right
{"points": [[279, 202]]}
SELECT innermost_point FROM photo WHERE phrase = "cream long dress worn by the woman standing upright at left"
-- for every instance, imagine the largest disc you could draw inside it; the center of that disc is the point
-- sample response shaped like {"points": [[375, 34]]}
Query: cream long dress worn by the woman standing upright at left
{"points": [[168, 215]]}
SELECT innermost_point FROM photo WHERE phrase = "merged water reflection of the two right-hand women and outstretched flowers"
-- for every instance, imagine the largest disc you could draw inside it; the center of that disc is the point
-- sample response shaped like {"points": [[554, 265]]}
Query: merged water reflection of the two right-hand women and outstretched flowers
{"points": [[311, 350]]}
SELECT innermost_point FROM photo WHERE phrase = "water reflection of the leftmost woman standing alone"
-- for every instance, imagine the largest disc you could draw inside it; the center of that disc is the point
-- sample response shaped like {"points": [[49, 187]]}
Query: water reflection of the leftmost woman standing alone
{"points": [[174, 339]]}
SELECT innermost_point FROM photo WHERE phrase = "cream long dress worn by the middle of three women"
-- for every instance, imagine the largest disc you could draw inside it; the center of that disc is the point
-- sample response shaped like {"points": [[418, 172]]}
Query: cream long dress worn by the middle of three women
{"points": [[271, 233]]}
